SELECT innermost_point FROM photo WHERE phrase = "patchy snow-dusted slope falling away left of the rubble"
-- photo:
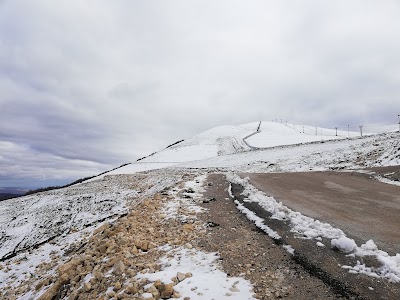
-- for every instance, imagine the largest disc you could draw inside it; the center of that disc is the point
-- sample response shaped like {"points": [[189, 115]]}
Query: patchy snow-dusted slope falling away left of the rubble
{"points": [[32, 220]]}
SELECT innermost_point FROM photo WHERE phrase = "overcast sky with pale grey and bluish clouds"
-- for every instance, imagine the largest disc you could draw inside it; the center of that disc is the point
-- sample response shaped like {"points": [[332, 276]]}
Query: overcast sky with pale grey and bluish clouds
{"points": [[86, 85]]}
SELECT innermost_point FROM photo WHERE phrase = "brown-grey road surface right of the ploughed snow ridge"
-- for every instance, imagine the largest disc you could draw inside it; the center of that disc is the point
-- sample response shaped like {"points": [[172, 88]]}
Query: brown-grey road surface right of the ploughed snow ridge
{"points": [[362, 207]]}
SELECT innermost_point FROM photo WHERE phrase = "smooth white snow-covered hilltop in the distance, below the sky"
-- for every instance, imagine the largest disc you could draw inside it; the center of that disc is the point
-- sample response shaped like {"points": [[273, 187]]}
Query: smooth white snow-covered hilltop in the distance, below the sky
{"points": [[227, 140]]}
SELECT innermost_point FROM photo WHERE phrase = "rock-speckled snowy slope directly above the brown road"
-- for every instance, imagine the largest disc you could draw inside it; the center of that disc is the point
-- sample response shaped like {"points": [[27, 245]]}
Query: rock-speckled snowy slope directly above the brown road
{"points": [[372, 151]]}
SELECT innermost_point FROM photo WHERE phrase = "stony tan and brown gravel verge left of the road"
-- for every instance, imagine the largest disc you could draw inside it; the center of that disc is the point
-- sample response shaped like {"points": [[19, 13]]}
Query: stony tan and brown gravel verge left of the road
{"points": [[105, 265]]}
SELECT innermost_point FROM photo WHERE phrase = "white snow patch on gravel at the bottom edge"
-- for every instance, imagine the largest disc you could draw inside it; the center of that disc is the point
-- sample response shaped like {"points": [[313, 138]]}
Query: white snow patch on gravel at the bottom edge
{"points": [[207, 281]]}
